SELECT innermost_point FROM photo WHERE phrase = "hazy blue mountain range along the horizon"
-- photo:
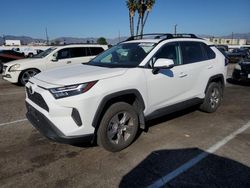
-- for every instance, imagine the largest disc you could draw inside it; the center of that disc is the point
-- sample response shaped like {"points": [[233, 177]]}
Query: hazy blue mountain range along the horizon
{"points": [[73, 40]]}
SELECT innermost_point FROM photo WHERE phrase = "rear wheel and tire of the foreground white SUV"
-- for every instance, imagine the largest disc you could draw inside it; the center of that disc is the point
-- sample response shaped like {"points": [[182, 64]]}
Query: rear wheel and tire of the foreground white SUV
{"points": [[213, 98]]}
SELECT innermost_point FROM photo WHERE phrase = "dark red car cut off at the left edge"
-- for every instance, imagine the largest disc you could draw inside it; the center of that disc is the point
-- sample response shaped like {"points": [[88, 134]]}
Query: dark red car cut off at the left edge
{"points": [[9, 55]]}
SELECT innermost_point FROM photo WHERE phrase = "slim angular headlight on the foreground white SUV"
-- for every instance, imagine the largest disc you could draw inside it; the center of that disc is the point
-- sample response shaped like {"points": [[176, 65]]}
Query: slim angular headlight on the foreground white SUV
{"points": [[71, 90]]}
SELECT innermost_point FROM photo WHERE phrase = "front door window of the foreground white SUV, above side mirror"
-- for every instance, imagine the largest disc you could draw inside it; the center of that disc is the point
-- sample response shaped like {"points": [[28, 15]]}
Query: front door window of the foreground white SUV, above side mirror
{"points": [[169, 51]]}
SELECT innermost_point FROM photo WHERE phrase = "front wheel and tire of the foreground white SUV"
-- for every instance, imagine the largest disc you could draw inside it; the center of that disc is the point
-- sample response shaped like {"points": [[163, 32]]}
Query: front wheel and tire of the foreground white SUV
{"points": [[116, 133]]}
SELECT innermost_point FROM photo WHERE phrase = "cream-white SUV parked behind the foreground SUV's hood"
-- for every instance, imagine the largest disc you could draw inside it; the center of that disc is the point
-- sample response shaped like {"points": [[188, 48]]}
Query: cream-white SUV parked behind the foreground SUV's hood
{"points": [[20, 71]]}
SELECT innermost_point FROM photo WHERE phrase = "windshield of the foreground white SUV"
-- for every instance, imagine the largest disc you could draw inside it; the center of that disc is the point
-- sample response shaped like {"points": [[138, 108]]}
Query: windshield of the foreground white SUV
{"points": [[123, 55]]}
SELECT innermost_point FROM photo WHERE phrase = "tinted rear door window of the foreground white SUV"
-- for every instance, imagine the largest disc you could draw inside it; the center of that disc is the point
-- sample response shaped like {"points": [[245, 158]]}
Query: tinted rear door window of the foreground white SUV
{"points": [[192, 52]]}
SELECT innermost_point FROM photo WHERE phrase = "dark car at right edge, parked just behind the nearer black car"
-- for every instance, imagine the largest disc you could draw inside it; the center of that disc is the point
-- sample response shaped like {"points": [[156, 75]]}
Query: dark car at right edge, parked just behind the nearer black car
{"points": [[237, 54]]}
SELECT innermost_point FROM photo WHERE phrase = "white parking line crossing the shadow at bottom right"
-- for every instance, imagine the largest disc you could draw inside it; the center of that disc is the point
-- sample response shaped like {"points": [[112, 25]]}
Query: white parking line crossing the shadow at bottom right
{"points": [[168, 177]]}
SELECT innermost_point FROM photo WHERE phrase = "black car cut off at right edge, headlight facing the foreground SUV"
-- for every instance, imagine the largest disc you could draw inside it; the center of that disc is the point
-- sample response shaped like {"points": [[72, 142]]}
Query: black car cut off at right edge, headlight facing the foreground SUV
{"points": [[241, 71]]}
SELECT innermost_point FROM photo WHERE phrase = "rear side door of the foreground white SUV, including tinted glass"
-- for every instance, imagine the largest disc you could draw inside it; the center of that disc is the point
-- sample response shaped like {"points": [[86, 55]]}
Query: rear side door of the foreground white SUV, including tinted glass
{"points": [[198, 60]]}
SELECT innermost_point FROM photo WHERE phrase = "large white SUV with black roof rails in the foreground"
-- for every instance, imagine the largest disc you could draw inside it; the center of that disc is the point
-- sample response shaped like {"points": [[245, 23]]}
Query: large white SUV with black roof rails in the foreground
{"points": [[111, 97]]}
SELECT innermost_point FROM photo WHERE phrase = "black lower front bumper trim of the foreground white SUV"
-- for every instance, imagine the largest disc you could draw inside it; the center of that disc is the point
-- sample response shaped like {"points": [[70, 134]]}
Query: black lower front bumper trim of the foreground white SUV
{"points": [[49, 130]]}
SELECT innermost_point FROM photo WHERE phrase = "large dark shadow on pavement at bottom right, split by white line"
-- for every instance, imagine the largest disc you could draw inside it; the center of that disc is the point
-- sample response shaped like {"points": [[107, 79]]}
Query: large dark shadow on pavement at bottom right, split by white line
{"points": [[212, 171]]}
